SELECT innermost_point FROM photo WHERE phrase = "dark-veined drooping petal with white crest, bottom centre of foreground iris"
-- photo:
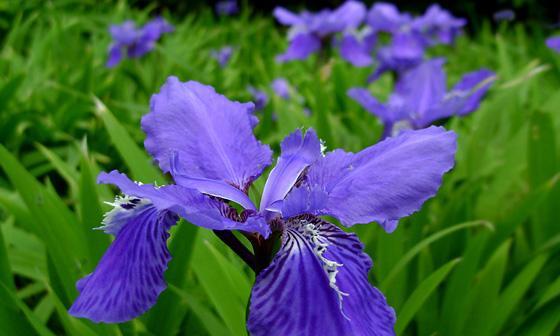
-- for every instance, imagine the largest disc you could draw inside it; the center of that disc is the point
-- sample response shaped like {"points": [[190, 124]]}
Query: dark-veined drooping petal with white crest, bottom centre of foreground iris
{"points": [[317, 284]]}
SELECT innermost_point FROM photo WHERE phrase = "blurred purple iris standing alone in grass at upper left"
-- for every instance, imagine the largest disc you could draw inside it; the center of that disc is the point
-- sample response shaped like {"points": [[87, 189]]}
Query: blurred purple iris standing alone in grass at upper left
{"points": [[134, 42]]}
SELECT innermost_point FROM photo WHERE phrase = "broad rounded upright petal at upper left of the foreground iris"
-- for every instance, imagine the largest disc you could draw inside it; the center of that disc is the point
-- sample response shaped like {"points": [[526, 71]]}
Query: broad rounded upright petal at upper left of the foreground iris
{"points": [[212, 135]]}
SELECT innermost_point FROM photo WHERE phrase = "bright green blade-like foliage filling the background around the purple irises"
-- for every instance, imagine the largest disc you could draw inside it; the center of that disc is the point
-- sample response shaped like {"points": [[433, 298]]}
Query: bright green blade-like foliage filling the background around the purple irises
{"points": [[481, 258]]}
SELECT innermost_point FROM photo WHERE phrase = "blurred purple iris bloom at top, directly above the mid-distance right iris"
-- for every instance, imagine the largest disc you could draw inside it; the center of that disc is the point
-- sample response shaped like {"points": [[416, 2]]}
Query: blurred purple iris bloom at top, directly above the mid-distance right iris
{"points": [[410, 37]]}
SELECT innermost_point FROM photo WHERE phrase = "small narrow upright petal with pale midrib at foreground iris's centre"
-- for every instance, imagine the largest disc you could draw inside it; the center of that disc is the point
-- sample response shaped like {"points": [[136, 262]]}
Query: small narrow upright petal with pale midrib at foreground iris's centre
{"points": [[298, 152]]}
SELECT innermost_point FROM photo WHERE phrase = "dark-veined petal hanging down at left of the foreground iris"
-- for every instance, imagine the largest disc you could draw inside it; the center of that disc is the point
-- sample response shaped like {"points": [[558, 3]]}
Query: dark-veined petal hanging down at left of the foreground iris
{"points": [[129, 278]]}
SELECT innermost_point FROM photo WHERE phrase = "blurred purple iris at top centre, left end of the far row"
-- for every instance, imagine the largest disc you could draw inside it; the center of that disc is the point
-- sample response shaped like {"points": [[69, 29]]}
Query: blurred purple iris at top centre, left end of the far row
{"points": [[310, 32]]}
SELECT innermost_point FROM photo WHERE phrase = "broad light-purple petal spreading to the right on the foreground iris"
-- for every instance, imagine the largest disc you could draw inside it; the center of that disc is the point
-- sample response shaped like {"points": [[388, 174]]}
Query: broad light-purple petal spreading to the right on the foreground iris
{"points": [[387, 181]]}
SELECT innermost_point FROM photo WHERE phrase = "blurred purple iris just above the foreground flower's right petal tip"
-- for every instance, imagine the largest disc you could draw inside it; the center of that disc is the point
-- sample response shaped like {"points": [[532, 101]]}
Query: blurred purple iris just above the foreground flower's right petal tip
{"points": [[420, 97]]}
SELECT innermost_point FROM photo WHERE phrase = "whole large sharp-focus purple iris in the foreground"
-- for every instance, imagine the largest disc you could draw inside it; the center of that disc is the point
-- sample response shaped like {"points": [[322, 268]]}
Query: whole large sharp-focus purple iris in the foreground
{"points": [[317, 283]]}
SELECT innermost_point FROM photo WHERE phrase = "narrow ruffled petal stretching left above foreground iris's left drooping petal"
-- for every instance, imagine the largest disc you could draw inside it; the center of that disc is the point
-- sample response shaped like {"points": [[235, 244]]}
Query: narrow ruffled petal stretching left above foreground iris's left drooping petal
{"points": [[190, 204]]}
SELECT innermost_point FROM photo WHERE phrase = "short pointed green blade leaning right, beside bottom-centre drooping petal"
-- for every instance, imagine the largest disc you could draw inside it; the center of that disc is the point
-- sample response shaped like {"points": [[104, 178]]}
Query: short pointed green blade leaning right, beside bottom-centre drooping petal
{"points": [[420, 294]]}
